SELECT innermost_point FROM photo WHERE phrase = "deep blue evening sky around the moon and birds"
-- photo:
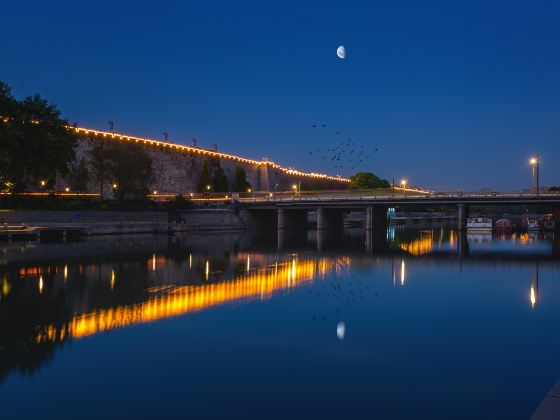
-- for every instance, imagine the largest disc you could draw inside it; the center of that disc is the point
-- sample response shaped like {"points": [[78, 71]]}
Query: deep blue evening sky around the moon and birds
{"points": [[454, 94]]}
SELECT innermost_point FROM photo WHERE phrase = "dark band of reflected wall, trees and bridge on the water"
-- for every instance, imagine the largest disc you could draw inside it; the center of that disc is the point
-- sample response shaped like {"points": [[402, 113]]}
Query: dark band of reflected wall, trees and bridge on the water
{"points": [[76, 290]]}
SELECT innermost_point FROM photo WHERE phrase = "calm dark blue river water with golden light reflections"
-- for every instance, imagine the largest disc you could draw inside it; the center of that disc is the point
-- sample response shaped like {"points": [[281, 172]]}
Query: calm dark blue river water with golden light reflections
{"points": [[425, 324]]}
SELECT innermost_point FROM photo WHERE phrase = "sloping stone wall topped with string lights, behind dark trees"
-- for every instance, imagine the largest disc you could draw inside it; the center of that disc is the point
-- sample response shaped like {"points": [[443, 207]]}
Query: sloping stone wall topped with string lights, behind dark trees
{"points": [[177, 171]]}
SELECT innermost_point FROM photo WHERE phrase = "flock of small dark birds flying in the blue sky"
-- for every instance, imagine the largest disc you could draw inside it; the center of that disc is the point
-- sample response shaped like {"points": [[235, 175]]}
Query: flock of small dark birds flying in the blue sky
{"points": [[346, 153]]}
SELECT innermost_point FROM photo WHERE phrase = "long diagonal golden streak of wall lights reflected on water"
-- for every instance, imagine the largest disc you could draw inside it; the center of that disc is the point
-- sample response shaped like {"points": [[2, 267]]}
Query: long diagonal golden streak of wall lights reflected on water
{"points": [[180, 300]]}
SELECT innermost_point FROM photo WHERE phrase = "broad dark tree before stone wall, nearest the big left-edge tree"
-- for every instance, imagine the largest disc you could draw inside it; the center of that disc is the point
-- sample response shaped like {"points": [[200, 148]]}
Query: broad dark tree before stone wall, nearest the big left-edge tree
{"points": [[126, 165]]}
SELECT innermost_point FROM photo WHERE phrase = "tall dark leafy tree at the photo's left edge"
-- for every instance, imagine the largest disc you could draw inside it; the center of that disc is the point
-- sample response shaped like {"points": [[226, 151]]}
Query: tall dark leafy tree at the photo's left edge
{"points": [[35, 142]]}
